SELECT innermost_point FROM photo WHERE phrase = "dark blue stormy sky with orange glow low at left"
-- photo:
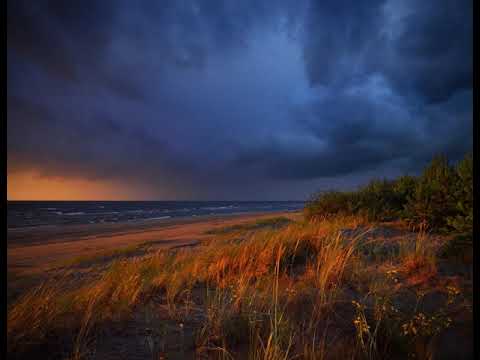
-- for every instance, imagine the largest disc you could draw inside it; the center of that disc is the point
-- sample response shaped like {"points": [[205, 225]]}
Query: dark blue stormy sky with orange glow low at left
{"points": [[231, 100]]}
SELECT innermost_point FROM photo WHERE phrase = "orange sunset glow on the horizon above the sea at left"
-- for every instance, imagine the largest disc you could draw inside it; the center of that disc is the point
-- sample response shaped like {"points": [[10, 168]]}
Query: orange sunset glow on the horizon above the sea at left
{"points": [[31, 186]]}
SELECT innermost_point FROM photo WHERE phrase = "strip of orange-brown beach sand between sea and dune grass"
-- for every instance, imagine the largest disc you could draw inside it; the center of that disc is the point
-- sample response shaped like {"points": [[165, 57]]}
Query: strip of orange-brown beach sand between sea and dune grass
{"points": [[32, 250]]}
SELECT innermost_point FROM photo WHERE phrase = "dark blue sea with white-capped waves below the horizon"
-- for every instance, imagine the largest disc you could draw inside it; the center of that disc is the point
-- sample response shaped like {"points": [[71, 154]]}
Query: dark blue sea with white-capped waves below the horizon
{"points": [[21, 214]]}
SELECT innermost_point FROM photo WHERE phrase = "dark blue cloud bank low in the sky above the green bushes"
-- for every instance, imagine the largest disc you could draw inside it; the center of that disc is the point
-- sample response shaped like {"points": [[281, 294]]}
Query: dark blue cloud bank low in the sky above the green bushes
{"points": [[351, 134]]}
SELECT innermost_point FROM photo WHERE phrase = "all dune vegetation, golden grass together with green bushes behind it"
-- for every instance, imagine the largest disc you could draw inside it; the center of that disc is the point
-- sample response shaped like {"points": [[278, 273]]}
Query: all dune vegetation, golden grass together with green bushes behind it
{"points": [[351, 280]]}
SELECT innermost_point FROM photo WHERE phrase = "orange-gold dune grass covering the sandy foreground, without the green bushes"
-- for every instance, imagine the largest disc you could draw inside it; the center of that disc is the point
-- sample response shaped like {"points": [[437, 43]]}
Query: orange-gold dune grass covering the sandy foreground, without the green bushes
{"points": [[305, 289]]}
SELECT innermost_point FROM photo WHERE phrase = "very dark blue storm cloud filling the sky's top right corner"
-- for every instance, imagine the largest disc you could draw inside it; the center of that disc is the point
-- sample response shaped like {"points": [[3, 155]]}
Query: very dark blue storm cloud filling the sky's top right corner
{"points": [[433, 54]]}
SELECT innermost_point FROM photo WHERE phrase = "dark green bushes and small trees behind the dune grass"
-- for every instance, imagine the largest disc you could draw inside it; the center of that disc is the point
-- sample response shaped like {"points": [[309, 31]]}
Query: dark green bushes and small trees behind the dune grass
{"points": [[441, 198]]}
